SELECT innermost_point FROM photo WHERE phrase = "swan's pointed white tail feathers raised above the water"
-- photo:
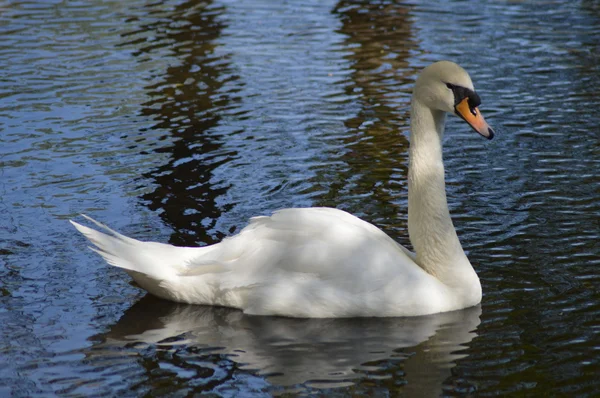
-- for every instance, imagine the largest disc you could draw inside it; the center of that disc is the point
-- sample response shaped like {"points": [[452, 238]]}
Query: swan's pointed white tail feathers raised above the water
{"points": [[158, 261]]}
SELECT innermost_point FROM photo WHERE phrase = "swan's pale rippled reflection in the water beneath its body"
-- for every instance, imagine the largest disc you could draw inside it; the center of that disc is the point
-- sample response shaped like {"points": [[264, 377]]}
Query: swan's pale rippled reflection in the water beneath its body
{"points": [[324, 353]]}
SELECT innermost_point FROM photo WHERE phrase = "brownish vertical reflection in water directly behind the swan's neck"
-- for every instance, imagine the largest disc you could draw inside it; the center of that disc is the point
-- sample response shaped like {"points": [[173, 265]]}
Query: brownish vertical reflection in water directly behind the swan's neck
{"points": [[379, 40]]}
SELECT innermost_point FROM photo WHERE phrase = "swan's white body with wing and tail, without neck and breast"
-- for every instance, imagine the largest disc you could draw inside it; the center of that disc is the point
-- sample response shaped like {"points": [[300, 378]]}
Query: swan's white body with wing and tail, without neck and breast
{"points": [[313, 262]]}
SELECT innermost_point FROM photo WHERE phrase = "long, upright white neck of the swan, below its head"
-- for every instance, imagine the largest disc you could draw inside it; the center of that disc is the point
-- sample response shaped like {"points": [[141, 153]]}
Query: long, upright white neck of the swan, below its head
{"points": [[430, 227]]}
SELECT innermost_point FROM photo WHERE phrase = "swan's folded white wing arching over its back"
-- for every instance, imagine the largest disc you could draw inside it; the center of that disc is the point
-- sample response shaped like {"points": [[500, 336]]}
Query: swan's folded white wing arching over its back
{"points": [[327, 243]]}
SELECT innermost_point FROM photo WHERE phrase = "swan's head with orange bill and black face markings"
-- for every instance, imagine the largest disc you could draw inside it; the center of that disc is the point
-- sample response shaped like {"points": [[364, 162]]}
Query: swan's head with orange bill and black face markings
{"points": [[446, 87]]}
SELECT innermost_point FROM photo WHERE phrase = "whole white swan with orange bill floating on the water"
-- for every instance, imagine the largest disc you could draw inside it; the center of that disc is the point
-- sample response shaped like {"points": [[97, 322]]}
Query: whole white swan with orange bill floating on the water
{"points": [[323, 262]]}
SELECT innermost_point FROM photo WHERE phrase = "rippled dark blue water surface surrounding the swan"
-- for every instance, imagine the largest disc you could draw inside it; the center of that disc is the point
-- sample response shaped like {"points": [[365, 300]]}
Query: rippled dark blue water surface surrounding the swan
{"points": [[176, 121]]}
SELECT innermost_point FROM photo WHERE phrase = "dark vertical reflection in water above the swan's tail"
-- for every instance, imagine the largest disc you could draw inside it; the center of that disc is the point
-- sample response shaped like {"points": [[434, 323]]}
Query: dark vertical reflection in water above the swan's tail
{"points": [[184, 103]]}
